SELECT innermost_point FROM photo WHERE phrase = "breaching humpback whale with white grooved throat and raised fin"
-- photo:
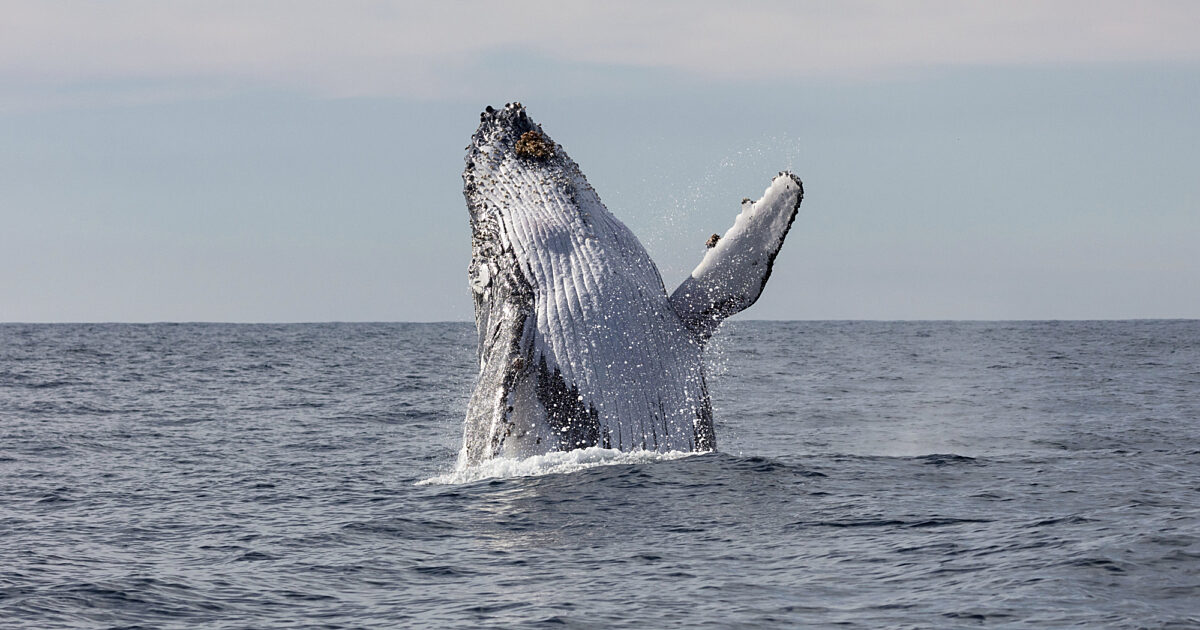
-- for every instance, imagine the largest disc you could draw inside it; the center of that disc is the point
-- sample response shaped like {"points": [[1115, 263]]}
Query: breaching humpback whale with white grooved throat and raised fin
{"points": [[579, 343]]}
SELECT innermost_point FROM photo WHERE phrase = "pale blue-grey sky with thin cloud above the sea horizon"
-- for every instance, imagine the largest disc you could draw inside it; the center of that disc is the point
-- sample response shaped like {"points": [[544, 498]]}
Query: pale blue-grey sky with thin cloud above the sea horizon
{"points": [[299, 161]]}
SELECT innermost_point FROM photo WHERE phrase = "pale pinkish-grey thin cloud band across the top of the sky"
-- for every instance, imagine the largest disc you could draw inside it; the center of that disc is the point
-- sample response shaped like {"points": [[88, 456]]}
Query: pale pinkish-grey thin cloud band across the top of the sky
{"points": [[436, 50]]}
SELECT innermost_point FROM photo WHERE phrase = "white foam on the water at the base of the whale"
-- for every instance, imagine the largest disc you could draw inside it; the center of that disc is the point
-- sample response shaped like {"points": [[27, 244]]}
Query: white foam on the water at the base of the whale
{"points": [[550, 464]]}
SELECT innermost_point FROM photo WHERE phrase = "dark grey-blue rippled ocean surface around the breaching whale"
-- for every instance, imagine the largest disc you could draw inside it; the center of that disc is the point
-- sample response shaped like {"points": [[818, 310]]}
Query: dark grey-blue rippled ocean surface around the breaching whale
{"points": [[926, 475]]}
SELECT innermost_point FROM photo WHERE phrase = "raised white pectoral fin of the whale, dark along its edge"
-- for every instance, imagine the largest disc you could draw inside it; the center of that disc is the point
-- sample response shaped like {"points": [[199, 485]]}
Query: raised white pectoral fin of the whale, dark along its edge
{"points": [[736, 268]]}
